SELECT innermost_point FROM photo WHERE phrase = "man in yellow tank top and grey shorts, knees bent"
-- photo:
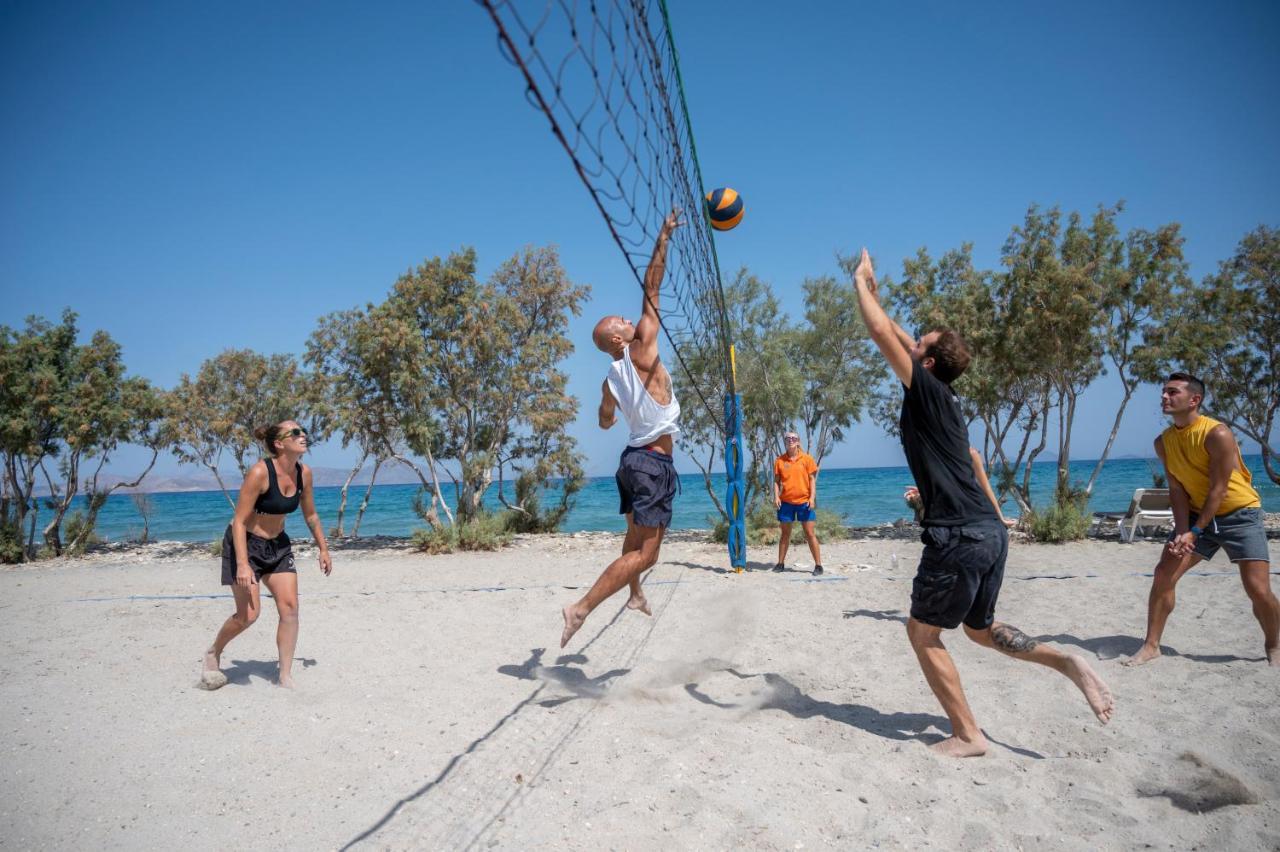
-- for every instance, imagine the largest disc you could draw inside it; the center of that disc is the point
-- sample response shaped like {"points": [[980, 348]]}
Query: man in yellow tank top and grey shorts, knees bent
{"points": [[1215, 507]]}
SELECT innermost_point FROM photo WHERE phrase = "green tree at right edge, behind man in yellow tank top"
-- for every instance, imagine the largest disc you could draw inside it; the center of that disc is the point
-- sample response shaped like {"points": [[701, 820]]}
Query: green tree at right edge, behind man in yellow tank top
{"points": [[1227, 332]]}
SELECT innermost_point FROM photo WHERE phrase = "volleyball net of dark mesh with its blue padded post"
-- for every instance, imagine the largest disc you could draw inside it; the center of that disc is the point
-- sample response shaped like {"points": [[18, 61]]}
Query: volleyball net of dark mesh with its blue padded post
{"points": [[607, 76]]}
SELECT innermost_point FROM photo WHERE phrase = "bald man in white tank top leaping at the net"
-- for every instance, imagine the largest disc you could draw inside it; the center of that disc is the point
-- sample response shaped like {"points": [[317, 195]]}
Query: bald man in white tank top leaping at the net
{"points": [[641, 387]]}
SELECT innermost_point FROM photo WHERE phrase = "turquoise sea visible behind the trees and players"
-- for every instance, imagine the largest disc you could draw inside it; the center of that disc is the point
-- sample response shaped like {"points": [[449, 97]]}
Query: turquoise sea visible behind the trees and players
{"points": [[866, 497]]}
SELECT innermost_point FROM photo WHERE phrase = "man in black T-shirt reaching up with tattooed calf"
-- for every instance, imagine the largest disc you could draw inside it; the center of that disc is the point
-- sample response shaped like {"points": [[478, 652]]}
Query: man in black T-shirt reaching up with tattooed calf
{"points": [[966, 544]]}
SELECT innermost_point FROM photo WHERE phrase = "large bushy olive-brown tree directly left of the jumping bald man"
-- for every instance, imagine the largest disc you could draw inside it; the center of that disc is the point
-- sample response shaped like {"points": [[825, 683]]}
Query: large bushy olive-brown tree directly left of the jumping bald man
{"points": [[479, 363]]}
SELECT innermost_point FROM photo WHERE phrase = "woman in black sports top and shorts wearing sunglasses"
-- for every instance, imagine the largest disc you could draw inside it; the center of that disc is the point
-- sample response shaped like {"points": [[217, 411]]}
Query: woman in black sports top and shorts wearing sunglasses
{"points": [[258, 551]]}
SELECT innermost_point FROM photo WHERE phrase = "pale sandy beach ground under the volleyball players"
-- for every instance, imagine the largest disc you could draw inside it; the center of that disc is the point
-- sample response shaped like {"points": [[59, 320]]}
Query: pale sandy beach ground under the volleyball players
{"points": [[435, 709]]}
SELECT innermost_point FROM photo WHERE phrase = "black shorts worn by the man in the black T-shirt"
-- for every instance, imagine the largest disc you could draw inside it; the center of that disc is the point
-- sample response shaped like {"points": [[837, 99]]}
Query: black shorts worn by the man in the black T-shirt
{"points": [[961, 574]]}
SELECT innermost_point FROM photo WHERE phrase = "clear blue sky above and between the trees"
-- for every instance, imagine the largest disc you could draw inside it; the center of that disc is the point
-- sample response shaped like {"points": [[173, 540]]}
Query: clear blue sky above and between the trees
{"points": [[196, 177]]}
